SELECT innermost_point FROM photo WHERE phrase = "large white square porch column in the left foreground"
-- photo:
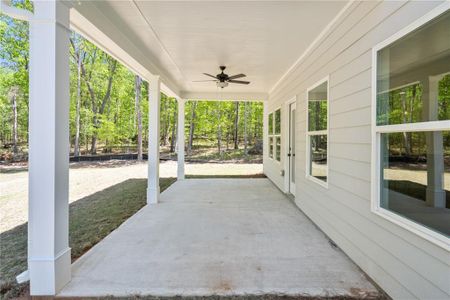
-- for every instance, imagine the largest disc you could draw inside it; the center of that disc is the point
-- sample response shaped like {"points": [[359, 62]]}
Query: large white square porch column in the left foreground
{"points": [[48, 233]]}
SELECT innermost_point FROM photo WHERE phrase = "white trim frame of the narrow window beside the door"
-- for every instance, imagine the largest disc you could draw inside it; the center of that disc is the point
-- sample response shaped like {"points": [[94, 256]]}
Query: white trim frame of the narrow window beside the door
{"points": [[319, 132]]}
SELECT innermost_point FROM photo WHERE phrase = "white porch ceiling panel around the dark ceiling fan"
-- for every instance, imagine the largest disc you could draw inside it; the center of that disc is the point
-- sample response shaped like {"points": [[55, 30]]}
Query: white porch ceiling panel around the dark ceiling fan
{"points": [[183, 39]]}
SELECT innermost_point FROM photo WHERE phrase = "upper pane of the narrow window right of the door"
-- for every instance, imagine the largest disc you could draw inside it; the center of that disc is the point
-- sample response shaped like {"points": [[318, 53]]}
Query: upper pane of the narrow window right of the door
{"points": [[317, 107]]}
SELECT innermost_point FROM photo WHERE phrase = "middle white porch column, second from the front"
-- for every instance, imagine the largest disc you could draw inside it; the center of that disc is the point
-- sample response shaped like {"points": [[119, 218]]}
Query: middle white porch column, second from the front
{"points": [[154, 98]]}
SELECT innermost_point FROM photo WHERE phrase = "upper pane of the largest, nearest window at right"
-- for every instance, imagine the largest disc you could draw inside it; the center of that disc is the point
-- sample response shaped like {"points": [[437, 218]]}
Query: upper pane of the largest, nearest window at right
{"points": [[413, 80]]}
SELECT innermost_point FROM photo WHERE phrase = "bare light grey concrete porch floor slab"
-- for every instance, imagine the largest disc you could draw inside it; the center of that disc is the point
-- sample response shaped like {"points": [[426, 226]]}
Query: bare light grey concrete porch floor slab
{"points": [[218, 237]]}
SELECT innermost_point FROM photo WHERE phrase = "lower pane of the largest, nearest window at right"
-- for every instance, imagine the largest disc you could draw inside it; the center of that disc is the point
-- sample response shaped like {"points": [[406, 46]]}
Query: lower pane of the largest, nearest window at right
{"points": [[415, 177]]}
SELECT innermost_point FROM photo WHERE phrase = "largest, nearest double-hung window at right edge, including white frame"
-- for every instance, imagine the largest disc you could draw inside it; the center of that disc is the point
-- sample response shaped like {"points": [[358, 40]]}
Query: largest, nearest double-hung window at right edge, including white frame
{"points": [[412, 129]]}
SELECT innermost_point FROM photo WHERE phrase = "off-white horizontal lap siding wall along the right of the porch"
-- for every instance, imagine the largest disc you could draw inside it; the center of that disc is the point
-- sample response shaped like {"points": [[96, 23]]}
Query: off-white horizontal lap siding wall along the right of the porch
{"points": [[405, 265]]}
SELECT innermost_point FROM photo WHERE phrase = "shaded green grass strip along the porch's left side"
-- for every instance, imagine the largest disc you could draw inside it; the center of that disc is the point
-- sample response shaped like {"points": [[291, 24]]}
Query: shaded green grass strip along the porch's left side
{"points": [[91, 219]]}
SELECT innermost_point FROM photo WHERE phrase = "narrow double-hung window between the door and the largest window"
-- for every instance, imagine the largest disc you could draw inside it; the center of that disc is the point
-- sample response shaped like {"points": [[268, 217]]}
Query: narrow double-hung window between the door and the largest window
{"points": [[317, 133]]}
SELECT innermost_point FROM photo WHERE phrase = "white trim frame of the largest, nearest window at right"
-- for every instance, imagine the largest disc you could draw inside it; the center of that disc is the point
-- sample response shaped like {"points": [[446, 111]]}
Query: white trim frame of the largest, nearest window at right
{"points": [[414, 227]]}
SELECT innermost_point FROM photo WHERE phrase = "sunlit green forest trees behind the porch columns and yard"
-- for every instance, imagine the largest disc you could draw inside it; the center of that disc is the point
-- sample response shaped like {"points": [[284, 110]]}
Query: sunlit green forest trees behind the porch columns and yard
{"points": [[109, 107]]}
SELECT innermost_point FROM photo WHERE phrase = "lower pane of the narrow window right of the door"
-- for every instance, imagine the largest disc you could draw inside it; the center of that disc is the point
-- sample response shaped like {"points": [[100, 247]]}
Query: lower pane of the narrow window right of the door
{"points": [[318, 150]]}
